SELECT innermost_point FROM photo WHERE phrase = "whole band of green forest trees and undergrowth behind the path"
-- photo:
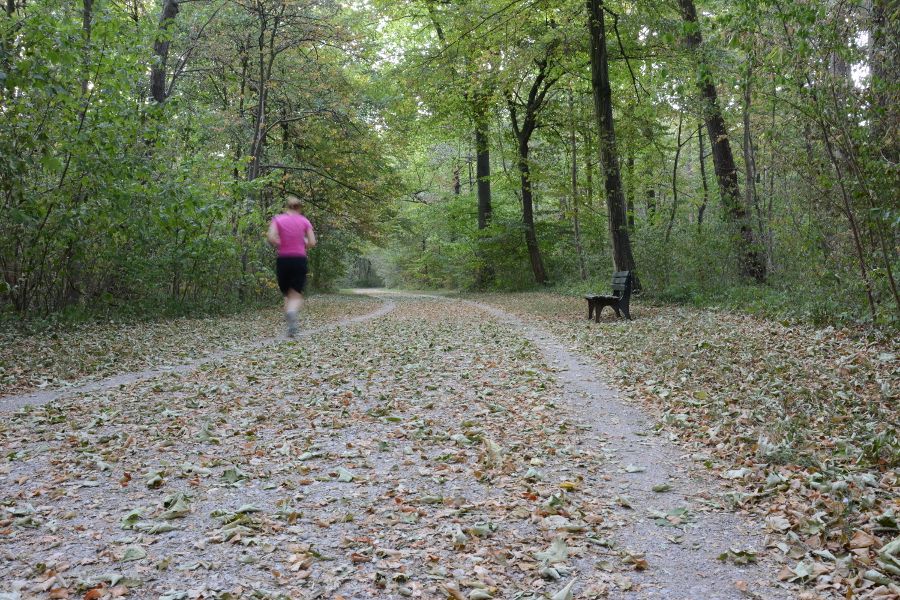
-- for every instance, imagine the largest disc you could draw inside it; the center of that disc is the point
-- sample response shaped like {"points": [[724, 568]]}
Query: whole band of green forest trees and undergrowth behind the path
{"points": [[741, 152]]}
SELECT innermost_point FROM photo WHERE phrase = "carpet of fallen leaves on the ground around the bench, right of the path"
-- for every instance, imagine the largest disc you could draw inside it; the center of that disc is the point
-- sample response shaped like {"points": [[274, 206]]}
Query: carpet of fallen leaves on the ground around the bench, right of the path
{"points": [[801, 424]]}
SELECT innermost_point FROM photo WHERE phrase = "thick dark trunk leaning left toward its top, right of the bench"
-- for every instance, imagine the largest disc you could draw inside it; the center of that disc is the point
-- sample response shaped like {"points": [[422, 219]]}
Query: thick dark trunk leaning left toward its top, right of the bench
{"points": [[751, 264]]}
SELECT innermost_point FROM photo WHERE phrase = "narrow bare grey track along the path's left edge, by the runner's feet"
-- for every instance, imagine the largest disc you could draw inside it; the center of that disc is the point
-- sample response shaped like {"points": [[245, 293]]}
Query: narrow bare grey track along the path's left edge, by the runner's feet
{"points": [[11, 403]]}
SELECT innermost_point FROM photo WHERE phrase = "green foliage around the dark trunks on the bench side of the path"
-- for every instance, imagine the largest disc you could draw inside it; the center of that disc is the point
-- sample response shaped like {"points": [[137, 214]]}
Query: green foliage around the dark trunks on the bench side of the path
{"points": [[819, 205]]}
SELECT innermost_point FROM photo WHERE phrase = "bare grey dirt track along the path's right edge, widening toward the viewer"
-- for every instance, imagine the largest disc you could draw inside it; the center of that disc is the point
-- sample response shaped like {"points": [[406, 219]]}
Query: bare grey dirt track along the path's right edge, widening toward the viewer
{"points": [[683, 564]]}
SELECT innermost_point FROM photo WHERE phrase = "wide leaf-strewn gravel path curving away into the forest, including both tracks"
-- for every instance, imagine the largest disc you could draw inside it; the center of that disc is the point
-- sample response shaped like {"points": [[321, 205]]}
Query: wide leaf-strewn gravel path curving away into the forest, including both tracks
{"points": [[442, 449]]}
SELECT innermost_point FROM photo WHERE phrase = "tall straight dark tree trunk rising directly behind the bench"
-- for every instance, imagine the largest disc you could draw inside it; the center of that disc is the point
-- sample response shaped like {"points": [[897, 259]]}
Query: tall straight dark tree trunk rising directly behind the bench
{"points": [[609, 158]]}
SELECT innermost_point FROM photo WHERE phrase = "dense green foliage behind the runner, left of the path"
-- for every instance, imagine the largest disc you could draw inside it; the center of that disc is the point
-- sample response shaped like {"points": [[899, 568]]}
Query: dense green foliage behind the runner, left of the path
{"points": [[112, 201]]}
